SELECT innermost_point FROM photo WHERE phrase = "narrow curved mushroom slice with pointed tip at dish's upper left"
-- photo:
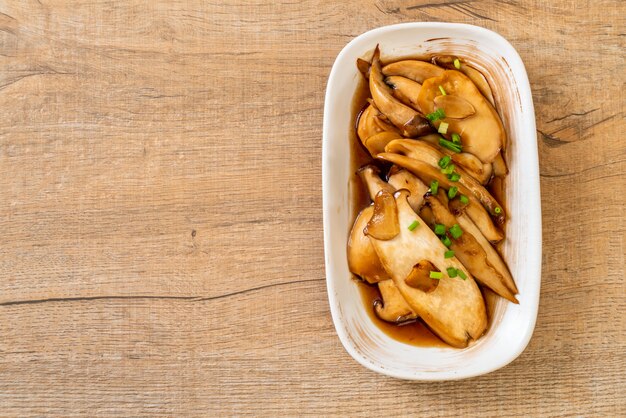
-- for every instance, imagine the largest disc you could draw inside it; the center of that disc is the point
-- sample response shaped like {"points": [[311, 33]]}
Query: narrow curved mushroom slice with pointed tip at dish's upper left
{"points": [[405, 118]]}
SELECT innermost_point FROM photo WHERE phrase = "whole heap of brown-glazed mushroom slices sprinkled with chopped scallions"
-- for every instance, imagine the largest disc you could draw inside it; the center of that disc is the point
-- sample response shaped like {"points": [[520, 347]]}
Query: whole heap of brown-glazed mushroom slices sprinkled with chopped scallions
{"points": [[427, 233]]}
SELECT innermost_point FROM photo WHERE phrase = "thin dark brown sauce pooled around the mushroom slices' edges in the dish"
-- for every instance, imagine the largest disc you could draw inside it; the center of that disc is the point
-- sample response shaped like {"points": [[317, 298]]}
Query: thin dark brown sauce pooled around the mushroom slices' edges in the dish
{"points": [[416, 333]]}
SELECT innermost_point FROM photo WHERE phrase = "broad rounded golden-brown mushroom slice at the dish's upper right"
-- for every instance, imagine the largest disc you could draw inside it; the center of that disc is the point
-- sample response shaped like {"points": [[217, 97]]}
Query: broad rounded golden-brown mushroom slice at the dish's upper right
{"points": [[483, 134]]}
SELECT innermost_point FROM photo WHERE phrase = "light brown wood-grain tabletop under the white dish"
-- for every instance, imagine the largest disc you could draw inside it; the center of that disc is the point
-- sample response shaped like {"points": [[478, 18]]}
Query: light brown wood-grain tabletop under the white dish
{"points": [[161, 222]]}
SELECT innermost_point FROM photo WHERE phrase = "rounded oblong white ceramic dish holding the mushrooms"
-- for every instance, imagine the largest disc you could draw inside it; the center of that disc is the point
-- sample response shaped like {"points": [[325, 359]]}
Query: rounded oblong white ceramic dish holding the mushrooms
{"points": [[512, 325]]}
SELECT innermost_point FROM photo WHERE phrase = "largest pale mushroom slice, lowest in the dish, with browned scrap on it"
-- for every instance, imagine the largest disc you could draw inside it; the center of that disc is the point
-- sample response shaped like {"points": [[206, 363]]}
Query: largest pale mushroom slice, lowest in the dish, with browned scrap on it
{"points": [[455, 310]]}
